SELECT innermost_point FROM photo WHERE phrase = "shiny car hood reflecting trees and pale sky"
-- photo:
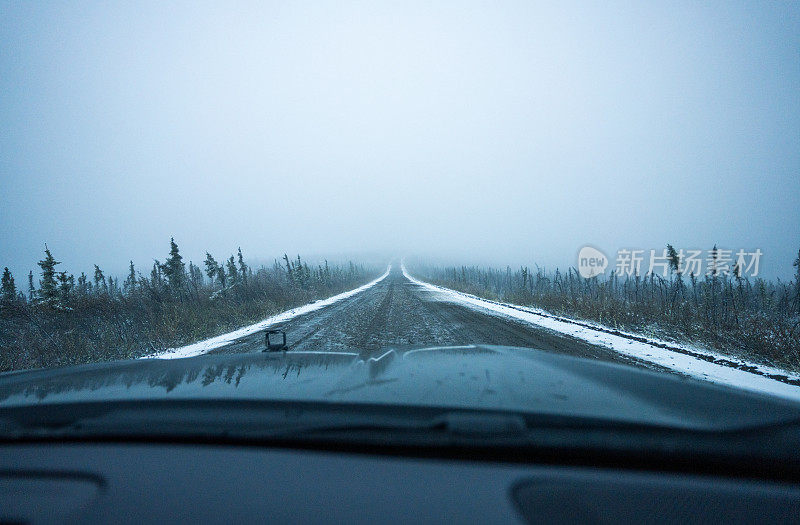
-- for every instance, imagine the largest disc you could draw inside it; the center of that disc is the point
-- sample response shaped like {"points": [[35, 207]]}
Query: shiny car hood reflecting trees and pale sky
{"points": [[476, 377]]}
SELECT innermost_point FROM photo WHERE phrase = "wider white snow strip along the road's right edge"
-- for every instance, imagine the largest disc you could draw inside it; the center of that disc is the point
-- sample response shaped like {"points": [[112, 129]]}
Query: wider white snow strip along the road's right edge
{"points": [[674, 360]]}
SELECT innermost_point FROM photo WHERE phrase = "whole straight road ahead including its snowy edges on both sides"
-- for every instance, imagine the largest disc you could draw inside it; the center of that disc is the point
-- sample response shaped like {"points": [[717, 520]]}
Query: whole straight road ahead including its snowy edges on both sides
{"points": [[399, 312]]}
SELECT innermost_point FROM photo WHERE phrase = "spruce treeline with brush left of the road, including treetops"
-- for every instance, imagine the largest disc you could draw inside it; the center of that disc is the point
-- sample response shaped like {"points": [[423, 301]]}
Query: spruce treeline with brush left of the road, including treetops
{"points": [[61, 319]]}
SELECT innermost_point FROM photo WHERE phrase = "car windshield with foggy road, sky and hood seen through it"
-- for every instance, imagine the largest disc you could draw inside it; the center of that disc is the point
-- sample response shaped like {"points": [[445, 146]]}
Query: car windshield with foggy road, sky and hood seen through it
{"points": [[576, 212]]}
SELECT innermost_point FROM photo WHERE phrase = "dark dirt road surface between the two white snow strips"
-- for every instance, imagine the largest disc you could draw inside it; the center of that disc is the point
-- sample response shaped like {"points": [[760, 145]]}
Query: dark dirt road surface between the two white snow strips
{"points": [[396, 313]]}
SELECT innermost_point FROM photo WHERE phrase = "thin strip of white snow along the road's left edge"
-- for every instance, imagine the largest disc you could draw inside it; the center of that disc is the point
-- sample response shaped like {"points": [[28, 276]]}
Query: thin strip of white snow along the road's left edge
{"points": [[202, 347]]}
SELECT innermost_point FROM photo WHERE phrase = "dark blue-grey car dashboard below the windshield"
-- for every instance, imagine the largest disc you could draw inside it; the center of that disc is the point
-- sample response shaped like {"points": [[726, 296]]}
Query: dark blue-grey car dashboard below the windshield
{"points": [[194, 483]]}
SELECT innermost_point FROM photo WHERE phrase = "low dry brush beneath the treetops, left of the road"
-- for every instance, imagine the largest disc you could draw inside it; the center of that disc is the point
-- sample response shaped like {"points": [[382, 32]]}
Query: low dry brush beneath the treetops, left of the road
{"points": [[112, 325]]}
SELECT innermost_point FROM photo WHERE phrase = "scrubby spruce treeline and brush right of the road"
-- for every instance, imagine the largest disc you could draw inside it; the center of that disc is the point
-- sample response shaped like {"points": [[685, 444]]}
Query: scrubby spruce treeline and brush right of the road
{"points": [[755, 319]]}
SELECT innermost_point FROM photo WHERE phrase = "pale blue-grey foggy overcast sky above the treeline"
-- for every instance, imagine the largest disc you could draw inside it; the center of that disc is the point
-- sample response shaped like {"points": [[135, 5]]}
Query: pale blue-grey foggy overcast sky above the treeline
{"points": [[497, 132]]}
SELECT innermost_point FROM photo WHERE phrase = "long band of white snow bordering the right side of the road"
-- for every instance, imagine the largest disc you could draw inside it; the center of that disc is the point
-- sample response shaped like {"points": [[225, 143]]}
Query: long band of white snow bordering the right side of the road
{"points": [[684, 359]]}
